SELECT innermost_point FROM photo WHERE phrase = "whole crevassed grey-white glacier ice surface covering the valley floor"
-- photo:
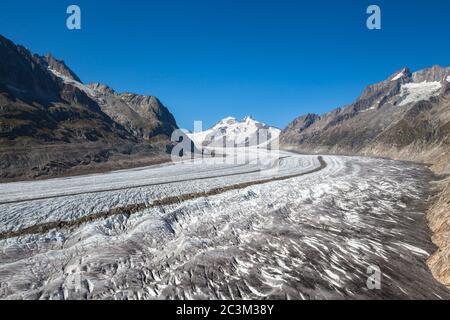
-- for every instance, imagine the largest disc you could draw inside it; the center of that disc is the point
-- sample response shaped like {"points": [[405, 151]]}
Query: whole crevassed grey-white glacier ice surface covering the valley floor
{"points": [[308, 237]]}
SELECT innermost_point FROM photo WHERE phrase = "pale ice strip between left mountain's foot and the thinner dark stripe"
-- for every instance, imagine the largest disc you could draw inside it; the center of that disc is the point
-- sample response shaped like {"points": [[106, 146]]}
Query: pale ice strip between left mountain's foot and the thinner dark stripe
{"points": [[116, 181]]}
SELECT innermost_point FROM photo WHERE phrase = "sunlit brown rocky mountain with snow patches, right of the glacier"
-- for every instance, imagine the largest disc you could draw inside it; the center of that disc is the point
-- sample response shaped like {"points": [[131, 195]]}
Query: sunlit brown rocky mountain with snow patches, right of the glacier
{"points": [[406, 116]]}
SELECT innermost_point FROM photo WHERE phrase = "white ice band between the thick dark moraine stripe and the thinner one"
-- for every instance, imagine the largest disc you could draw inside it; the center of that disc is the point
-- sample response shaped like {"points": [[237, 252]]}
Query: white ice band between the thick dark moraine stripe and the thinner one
{"points": [[17, 216]]}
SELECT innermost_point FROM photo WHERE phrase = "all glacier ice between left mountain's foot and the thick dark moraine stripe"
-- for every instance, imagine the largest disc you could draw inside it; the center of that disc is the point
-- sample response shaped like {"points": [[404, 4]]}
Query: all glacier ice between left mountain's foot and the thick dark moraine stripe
{"points": [[75, 197]]}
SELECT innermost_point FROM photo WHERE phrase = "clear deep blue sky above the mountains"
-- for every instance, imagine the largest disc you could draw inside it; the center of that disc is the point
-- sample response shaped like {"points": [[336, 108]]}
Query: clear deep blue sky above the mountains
{"points": [[205, 60]]}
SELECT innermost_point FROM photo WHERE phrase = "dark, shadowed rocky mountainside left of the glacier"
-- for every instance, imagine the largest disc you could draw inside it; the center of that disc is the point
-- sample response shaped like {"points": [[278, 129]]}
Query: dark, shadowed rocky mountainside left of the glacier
{"points": [[50, 122]]}
